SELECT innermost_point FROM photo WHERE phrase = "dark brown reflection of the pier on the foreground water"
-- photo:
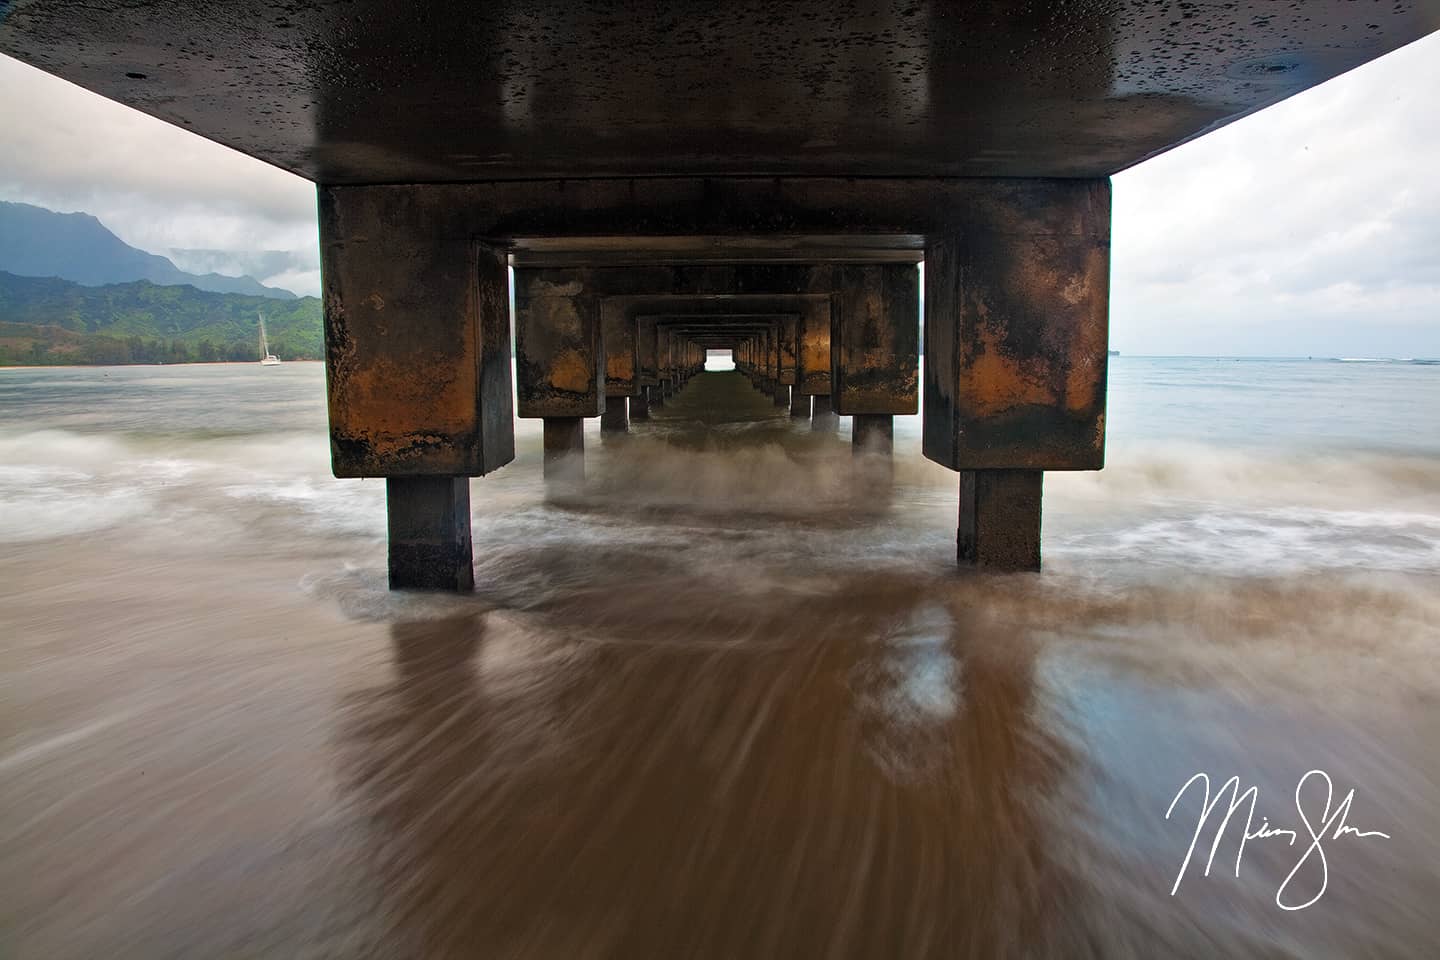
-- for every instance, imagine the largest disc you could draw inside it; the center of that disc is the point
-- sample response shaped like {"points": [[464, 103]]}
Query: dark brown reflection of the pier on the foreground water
{"points": [[858, 782]]}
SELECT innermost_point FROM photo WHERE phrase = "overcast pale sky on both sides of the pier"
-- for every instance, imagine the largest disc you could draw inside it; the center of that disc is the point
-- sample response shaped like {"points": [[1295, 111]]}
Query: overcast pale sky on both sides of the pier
{"points": [[1308, 230]]}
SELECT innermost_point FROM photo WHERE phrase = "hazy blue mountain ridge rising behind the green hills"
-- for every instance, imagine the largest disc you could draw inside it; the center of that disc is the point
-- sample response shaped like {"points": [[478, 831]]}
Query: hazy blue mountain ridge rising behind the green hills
{"points": [[78, 248]]}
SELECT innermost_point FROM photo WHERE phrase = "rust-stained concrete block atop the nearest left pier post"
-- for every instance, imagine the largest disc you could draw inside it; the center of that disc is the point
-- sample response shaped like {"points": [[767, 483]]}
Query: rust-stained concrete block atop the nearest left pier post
{"points": [[417, 342]]}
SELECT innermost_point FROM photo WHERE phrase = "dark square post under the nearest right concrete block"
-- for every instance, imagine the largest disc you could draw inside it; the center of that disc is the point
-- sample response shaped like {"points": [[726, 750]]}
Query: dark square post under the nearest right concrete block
{"points": [[1000, 520]]}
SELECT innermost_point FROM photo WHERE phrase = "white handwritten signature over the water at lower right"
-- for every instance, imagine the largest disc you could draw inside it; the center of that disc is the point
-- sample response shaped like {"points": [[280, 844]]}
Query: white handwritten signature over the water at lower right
{"points": [[1318, 831]]}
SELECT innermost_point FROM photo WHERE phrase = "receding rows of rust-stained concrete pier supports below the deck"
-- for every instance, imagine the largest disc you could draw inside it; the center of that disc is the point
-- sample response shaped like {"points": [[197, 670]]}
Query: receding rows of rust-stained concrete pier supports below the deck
{"points": [[418, 330]]}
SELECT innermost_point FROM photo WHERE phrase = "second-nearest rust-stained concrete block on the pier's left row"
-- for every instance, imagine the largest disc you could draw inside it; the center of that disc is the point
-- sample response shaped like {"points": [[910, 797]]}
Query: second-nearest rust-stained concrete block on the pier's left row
{"points": [[559, 356]]}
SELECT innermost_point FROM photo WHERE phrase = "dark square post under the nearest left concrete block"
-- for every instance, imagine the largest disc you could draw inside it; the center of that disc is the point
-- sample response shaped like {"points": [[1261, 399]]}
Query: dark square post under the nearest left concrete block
{"points": [[428, 520]]}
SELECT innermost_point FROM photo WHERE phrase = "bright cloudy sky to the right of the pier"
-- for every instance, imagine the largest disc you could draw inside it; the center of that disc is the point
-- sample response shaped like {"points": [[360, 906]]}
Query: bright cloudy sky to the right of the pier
{"points": [[1311, 228]]}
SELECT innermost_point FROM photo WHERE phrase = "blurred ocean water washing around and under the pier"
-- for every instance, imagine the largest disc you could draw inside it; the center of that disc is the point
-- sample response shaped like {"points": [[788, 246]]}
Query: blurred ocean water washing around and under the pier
{"points": [[734, 699]]}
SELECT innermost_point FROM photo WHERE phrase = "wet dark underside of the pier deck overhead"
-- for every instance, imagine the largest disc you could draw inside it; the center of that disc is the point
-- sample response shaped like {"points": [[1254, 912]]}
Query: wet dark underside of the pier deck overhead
{"points": [[377, 93]]}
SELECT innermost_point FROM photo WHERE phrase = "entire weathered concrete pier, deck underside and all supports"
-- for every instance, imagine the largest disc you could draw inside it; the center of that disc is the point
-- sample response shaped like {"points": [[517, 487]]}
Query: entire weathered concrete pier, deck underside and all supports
{"points": [[670, 181]]}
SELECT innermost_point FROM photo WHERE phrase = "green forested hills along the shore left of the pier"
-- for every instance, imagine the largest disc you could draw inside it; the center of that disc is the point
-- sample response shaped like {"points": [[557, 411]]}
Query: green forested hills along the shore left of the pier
{"points": [[54, 322]]}
